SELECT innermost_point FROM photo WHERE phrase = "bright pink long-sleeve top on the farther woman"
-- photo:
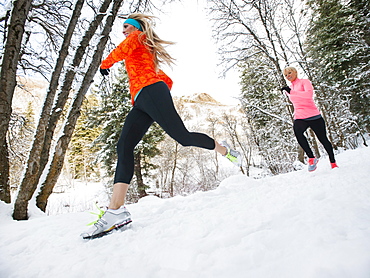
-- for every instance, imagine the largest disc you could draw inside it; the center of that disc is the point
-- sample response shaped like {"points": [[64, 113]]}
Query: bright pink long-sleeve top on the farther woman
{"points": [[301, 95]]}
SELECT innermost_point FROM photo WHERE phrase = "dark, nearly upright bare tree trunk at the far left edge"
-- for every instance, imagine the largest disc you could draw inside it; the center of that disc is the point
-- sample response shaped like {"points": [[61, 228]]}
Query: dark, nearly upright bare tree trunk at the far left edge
{"points": [[8, 70]]}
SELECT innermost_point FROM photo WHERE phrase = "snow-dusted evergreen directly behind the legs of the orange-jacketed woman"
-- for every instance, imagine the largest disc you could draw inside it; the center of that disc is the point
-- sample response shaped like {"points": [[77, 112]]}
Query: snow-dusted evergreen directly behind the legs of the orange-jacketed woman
{"points": [[110, 116]]}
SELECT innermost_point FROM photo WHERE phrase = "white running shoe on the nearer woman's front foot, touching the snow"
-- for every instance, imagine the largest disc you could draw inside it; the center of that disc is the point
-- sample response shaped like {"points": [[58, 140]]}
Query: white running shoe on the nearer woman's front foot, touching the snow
{"points": [[109, 221]]}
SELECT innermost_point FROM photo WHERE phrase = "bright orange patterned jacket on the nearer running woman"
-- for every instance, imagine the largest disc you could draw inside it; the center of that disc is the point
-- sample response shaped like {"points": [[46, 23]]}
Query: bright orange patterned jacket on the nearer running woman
{"points": [[139, 63]]}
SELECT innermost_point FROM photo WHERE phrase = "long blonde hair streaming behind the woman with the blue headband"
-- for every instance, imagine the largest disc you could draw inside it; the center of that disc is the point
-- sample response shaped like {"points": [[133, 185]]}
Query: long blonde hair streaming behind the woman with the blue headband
{"points": [[152, 41]]}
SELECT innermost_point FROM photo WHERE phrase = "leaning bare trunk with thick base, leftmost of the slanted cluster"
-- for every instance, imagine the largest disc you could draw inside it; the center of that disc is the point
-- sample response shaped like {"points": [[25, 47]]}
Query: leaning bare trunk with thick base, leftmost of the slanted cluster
{"points": [[33, 173]]}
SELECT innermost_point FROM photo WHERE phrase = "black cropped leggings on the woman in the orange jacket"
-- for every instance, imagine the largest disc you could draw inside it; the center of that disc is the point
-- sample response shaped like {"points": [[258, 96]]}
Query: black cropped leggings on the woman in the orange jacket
{"points": [[153, 104]]}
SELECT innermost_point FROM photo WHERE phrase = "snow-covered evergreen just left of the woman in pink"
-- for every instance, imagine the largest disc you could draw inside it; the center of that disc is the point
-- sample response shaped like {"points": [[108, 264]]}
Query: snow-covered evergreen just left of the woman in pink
{"points": [[268, 118]]}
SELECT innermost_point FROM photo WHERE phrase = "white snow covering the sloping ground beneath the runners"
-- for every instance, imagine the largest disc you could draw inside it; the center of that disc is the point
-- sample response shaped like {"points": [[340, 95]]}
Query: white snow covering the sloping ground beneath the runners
{"points": [[300, 224]]}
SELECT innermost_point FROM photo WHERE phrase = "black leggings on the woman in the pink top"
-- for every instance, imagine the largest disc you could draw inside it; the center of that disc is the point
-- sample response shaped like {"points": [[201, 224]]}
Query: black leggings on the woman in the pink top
{"points": [[318, 126]]}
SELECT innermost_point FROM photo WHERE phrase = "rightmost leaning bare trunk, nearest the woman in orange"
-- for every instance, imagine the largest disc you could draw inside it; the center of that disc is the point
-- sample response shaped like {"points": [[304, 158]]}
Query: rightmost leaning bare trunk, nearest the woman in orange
{"points": [[63, 142]]}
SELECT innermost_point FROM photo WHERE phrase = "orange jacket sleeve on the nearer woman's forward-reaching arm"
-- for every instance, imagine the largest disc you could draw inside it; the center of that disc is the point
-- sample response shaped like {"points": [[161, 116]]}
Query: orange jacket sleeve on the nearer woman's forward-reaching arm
{"points": [[123, 50]]}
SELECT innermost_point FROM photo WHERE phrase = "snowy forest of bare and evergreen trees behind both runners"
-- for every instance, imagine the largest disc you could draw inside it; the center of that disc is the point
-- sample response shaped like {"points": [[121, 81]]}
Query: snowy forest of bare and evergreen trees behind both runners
{"points": [[63, 41]]}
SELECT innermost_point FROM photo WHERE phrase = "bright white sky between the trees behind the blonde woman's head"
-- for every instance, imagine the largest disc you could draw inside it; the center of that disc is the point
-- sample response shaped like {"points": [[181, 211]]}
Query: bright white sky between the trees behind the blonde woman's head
{"points": [[196, 71]]}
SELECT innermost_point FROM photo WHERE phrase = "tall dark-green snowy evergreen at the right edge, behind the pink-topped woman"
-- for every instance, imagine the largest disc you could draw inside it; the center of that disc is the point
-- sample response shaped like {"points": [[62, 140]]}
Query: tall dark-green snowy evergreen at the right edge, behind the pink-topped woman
{"points": [[338, 45]]}
